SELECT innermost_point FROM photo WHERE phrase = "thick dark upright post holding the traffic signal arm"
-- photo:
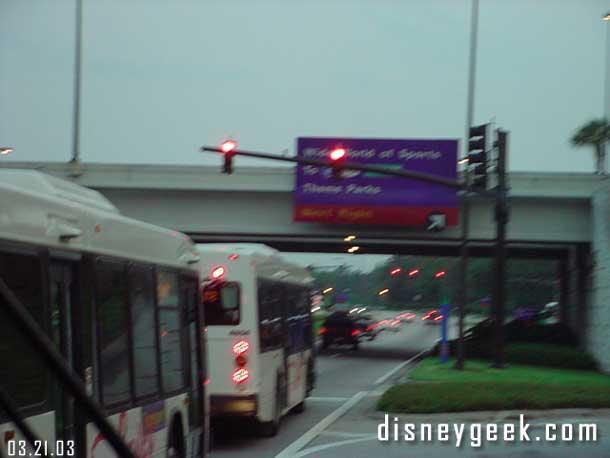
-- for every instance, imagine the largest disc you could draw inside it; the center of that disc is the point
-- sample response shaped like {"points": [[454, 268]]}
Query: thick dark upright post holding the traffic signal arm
{"points": [[501, 217]]}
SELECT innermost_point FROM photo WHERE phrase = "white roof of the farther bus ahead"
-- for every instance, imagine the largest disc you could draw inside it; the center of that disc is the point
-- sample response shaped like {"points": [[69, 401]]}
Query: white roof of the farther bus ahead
{"points": [[267, 262]]}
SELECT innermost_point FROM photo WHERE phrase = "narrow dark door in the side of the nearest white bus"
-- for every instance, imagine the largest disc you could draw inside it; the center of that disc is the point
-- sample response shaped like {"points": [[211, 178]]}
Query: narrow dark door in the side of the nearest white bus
{"points": [[62, 293]]}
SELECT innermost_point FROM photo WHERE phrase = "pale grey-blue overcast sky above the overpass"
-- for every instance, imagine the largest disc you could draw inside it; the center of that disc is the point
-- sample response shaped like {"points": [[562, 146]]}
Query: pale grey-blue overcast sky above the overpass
{"points": [[160, 78]]}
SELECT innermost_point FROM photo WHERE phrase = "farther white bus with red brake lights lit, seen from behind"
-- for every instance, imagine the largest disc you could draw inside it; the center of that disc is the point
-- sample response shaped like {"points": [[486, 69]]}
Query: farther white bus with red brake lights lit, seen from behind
{"points": [[259, 333]]}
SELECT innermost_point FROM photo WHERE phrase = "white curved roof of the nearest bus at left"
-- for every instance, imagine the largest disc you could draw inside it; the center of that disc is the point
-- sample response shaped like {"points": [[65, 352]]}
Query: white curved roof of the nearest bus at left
{"points": [[48, 211]]}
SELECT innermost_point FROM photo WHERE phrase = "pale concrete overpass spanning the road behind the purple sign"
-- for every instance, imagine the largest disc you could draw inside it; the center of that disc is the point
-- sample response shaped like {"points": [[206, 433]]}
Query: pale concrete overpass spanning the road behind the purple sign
{"points": [[563, 216]]}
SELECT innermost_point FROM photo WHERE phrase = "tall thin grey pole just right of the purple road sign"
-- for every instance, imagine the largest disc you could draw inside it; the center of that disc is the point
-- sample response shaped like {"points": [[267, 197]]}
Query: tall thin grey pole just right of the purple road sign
{"points": [[463, 291]]}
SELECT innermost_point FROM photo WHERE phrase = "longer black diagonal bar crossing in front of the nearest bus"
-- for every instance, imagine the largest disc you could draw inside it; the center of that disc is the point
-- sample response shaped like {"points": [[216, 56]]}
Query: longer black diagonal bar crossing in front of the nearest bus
{"points": [[48, 352]]}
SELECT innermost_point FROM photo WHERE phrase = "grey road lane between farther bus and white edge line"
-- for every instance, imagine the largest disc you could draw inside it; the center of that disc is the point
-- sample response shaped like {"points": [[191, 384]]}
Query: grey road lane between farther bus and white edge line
{"points": [[341, 374]]}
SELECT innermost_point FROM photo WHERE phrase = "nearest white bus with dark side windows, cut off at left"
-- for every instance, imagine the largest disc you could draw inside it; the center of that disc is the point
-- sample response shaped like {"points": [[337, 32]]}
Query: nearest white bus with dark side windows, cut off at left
{"points": [[120, 299]]}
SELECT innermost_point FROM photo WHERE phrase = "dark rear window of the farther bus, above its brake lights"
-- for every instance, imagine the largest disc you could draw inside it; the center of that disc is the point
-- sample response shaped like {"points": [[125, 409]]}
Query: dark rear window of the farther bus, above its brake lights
{"points": [[221, 303]]}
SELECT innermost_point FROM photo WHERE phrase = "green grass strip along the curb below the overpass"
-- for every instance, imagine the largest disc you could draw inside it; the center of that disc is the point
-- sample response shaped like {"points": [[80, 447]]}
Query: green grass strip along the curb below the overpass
{"points": [[436, 387]]}
